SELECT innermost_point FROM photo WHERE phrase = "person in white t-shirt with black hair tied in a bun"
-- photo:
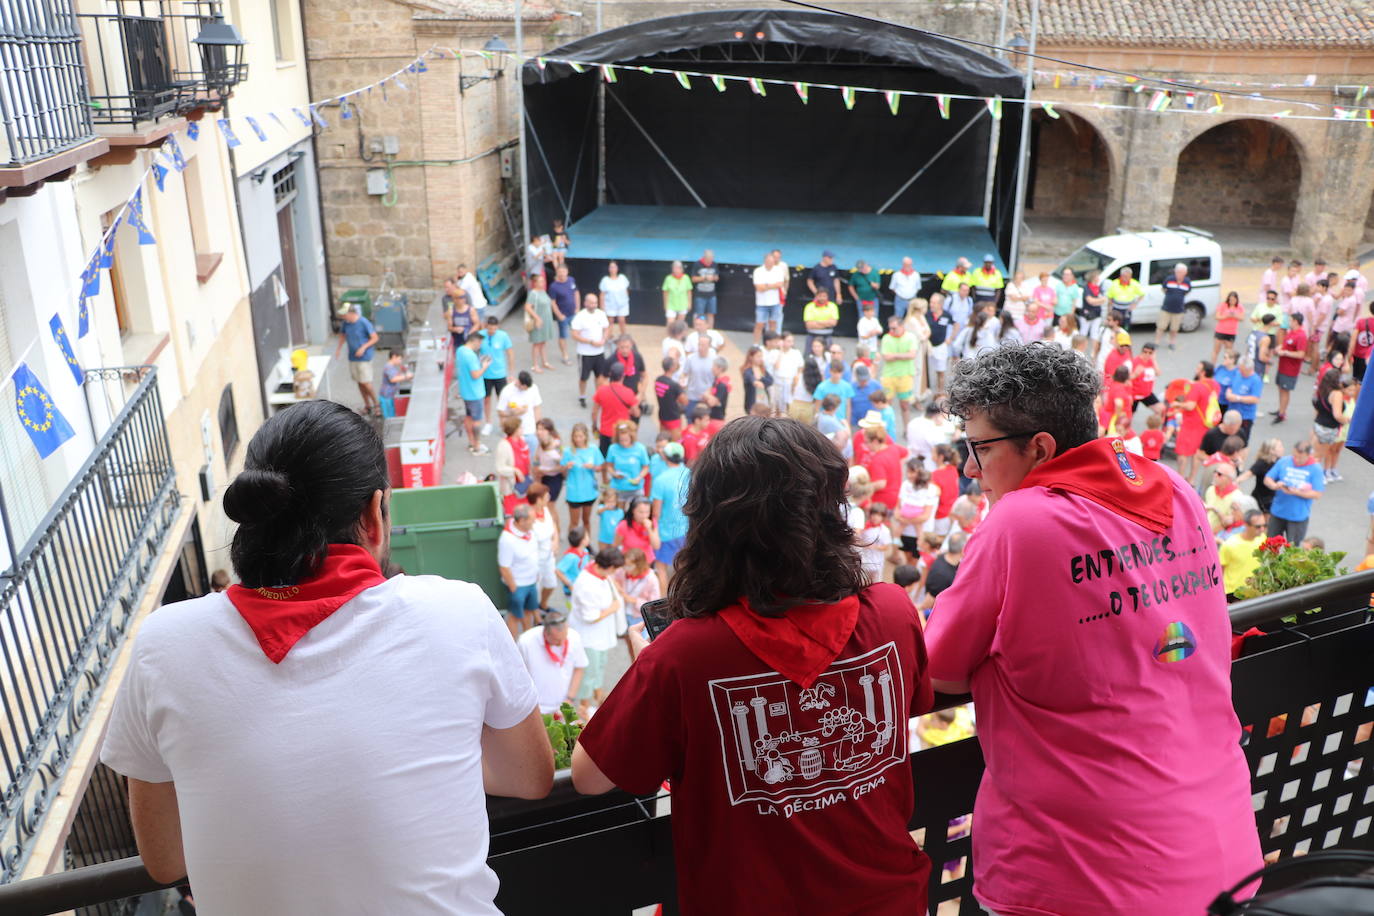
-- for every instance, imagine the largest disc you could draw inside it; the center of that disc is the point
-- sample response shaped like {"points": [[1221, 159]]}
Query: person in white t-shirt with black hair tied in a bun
{"points": [[252, 722]]}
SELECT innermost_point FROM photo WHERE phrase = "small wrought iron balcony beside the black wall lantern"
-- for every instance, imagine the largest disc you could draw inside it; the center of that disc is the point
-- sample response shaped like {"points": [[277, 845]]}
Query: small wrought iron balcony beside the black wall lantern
{"points": [[160, 58]]}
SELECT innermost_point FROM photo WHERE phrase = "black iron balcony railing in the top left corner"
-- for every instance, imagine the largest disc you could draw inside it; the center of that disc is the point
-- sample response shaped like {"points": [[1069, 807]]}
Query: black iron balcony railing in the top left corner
{"points": [[45, 106]]}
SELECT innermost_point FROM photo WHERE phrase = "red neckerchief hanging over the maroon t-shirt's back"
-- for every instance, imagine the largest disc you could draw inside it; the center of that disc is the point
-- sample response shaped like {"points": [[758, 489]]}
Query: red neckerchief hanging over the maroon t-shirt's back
{"points": [[803, 642]]}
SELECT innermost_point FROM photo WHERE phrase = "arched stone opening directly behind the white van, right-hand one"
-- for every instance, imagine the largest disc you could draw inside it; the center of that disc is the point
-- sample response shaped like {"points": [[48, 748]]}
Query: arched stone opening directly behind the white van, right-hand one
{"points": [[1239, 175]]}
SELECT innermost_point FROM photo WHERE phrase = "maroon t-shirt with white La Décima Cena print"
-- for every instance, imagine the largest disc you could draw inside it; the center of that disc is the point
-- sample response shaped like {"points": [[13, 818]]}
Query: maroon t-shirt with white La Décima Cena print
{"points": [[785, 800]]}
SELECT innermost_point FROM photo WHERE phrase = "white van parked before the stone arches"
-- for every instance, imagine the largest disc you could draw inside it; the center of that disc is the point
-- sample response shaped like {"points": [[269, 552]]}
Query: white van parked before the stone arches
{"points": [[1152, 257]]}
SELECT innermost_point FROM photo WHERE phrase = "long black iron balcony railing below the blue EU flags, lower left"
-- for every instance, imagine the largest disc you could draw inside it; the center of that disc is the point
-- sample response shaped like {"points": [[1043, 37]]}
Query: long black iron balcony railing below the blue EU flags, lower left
{"points": [[69, 597]]}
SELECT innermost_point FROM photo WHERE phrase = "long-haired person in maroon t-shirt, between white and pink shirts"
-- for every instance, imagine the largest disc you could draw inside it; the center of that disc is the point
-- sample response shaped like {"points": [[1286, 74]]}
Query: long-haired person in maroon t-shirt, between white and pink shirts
{"points": [[778, 700]]}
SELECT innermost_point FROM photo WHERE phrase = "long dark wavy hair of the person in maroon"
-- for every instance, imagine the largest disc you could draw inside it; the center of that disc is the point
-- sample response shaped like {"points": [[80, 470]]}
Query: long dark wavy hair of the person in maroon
{"points": [[766, 523]]}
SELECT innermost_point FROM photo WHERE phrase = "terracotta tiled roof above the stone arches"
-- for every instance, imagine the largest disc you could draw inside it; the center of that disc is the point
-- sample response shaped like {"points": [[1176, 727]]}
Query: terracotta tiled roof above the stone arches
{"points": [[1202, 24]]}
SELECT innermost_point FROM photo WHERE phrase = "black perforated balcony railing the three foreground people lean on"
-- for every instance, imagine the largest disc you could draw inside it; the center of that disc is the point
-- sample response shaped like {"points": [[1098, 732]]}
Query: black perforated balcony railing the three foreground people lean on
{"points": [[1303, 693]]}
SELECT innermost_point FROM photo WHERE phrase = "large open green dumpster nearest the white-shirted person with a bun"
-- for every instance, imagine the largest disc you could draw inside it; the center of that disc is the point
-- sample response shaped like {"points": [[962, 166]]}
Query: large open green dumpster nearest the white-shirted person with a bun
{"points": [[450, 532]]}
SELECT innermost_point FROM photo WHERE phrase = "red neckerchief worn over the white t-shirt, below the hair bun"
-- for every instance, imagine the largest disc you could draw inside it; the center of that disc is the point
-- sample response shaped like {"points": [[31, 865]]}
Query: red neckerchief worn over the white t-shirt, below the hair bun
{"points": [[280, 617]]}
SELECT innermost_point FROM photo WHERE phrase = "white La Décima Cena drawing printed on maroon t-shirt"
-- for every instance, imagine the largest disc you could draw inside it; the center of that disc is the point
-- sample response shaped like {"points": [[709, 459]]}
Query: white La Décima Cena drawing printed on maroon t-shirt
{"points": [[807, 749]]}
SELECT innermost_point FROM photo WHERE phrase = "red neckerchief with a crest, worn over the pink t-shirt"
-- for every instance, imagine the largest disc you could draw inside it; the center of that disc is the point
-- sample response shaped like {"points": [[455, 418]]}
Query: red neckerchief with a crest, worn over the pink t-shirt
{"points": [[1104, 472]]}
